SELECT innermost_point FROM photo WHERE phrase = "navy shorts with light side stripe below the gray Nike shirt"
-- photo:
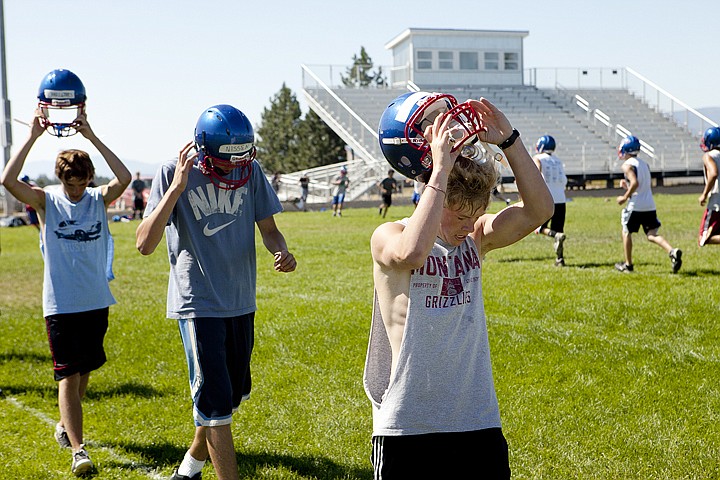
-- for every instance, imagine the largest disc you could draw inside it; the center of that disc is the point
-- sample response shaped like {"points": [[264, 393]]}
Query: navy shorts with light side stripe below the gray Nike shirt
{"points": [[218, 352]]}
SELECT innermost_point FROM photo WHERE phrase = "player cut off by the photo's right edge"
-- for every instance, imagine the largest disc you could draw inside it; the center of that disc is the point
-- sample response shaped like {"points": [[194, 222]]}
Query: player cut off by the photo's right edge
{"points": [[709, 233]]}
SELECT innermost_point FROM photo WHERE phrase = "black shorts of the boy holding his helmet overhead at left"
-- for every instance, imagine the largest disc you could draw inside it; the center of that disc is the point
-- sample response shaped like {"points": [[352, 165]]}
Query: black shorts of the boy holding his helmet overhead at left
{"points": [[76, 341]]}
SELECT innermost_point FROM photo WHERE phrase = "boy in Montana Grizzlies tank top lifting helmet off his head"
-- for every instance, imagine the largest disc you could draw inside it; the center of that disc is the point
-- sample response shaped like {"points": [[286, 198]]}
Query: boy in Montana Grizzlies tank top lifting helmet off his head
{"points": [[428, 373]]}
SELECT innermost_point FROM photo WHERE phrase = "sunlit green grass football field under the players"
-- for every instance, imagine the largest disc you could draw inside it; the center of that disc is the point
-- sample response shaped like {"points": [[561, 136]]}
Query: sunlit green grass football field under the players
{"points": [[600, 375]]}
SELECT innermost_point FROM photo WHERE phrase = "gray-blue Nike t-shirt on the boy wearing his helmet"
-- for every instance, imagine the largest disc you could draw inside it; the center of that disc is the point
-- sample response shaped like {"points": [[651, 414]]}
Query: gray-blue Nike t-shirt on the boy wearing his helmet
{"points": [[211, 242]]}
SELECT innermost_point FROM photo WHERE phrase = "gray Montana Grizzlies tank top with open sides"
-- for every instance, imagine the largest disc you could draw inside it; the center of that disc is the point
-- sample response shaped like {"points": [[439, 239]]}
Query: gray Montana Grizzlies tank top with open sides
{"points": [[443, 381]]}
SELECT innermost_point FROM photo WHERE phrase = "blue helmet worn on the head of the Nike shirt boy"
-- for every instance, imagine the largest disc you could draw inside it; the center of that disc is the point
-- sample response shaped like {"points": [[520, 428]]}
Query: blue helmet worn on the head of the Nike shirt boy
{"points": [[225, 140]]}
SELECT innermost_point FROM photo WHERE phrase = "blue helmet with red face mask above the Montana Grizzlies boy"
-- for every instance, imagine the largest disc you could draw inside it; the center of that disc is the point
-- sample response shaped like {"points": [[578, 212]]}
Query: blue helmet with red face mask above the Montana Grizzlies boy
{"points": [[403, 123]]}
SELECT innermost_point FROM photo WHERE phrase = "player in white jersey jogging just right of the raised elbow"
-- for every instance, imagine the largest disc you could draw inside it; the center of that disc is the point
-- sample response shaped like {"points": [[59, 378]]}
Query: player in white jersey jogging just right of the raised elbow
{"points": [[553, 173]]}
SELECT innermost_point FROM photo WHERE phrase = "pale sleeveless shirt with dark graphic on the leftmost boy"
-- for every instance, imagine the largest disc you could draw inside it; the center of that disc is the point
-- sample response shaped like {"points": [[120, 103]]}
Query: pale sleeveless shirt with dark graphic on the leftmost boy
{"points": [[75, 248]]}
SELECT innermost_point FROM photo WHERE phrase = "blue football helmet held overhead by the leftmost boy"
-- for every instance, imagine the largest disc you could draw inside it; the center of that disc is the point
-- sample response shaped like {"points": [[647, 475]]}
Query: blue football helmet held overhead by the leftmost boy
{"points": [[61, 96]]}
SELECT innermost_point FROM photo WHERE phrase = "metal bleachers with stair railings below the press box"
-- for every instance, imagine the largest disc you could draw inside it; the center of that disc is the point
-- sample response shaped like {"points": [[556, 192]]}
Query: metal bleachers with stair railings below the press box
{"points": [[587, 125]]}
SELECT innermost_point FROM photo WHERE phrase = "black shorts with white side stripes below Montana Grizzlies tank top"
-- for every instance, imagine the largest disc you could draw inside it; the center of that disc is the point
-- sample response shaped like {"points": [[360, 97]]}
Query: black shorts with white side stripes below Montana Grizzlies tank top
{"points": [[475, 454]]}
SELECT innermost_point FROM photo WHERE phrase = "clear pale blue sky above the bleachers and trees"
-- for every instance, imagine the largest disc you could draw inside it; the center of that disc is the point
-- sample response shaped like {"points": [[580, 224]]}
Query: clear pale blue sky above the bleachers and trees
{"points": [[150, 67]]}
